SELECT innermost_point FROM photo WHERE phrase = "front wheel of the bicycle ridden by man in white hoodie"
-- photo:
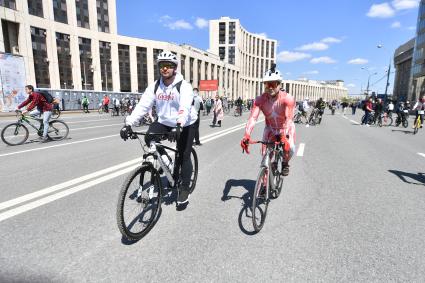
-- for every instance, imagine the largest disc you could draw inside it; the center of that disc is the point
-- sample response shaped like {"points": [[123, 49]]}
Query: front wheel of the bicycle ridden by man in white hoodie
{"points": [[139, 202]]}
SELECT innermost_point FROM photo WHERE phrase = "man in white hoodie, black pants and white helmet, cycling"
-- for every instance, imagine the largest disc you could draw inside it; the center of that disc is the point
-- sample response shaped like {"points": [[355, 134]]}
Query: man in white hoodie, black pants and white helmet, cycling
{"points": [[173, 97]]}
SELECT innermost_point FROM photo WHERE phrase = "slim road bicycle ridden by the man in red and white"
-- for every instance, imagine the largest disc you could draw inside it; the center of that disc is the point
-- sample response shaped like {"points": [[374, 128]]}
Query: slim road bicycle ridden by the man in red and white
{"points": [[269, 181]]}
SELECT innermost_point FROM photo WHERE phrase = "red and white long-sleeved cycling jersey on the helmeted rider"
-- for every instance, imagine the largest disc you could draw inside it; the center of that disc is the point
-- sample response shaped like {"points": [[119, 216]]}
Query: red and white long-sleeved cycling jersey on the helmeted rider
{"points": [[279, 112]]}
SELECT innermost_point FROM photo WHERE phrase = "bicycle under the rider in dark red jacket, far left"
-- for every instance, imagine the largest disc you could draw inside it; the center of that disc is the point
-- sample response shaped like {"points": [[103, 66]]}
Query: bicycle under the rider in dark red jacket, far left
{"points": [[17, 133]]}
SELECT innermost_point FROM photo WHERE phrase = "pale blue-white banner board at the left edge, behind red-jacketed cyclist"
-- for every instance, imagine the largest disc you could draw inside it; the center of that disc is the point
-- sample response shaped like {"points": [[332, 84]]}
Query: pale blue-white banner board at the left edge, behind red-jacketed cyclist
{"points": [[12, 82]]}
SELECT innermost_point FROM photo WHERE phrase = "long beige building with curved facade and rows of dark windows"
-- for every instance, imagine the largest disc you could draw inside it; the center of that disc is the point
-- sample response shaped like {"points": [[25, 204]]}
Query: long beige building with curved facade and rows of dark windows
{"points": [[73, 44]]}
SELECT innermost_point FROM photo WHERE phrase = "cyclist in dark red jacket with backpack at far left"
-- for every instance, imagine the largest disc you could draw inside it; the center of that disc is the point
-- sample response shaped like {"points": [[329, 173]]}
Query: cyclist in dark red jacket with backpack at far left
{"points": [[36, 100]]}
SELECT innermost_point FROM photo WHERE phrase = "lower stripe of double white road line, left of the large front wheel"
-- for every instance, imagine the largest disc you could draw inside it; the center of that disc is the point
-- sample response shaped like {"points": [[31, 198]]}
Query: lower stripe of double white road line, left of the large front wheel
{"points": [[29, 206]]}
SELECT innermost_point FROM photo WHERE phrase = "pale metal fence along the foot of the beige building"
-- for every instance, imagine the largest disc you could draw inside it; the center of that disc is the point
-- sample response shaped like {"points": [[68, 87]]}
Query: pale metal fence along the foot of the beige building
{"points": [[71, 99]]}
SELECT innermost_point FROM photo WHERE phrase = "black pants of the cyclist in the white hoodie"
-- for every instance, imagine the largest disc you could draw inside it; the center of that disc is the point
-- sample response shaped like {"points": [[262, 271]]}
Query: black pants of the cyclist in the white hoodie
{"points": [[184, 146]]}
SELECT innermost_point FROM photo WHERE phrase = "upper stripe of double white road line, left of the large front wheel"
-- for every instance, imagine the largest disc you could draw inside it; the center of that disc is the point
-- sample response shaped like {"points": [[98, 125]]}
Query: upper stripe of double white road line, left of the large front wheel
{"points": [[66, 184]]}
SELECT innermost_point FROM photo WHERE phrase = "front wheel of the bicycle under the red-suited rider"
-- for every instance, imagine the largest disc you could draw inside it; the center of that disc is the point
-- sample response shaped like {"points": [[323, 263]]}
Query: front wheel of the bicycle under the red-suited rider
{"points": [[260, 201]]}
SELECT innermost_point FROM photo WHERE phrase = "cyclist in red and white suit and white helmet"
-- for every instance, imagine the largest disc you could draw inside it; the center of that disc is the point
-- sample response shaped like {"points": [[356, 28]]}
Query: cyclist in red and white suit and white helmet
{"points": [[278, 108]]}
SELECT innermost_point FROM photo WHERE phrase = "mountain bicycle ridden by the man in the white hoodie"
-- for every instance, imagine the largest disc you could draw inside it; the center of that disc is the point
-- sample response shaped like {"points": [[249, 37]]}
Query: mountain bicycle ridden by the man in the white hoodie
{"points": [[143, 189]]}
